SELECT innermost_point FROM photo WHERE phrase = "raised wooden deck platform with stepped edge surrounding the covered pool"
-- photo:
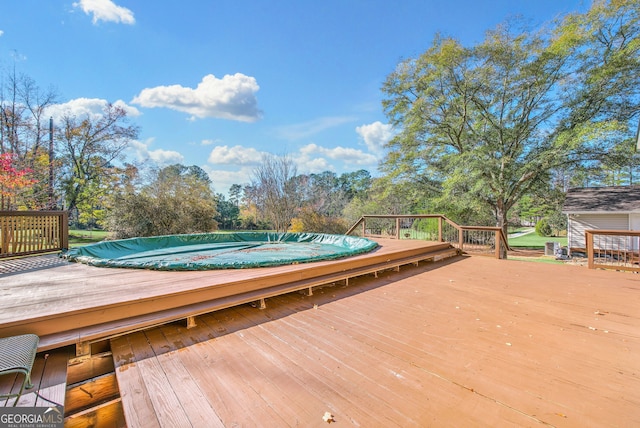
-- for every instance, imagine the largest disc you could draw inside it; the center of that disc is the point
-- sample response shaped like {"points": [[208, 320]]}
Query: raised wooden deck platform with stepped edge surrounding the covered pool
{"points": [[76, 304]]}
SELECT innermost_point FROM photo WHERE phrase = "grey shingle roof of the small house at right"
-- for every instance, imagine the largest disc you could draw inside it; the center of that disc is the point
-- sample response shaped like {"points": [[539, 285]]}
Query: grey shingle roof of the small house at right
{"points": [[621, 199]]}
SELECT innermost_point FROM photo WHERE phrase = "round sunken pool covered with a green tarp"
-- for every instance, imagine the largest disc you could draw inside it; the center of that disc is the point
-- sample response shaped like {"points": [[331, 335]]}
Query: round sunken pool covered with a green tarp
{"points": [[219, 250]]}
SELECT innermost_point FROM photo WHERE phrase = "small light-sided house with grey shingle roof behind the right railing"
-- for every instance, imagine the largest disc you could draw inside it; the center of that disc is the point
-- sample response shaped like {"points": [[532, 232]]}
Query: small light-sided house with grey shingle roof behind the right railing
{"points": [[607, 208]]}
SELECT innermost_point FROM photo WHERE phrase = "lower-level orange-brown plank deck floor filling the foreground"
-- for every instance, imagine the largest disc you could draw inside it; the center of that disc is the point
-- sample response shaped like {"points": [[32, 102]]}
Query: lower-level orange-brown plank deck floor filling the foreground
{"points": [[467, 342]]}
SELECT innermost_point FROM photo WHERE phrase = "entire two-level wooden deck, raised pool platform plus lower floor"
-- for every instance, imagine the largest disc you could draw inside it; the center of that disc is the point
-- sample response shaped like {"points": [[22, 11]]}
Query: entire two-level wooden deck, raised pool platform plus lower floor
{"points": [[469, 341]]}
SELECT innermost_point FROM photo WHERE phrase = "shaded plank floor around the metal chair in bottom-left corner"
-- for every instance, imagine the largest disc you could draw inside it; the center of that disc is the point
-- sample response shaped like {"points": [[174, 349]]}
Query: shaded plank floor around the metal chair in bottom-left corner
{"points": [[49, 378]]}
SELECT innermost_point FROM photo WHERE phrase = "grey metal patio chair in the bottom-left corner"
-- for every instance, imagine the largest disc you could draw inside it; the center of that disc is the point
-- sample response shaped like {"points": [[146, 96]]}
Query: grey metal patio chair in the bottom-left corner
{"points": [[17, 354]]}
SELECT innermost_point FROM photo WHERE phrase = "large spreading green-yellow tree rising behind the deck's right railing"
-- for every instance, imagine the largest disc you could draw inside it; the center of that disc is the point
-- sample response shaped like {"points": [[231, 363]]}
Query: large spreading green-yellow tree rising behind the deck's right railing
{"points": [[491, 121]]}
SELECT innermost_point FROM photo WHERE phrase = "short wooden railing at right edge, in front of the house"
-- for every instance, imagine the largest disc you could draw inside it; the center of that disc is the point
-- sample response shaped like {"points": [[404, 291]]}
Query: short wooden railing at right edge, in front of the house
{"points": [[613, 249]]}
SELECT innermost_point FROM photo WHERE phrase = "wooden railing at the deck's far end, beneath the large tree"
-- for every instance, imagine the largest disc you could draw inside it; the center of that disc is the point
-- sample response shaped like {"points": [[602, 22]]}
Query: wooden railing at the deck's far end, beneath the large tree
{"points": [[479, 240]]}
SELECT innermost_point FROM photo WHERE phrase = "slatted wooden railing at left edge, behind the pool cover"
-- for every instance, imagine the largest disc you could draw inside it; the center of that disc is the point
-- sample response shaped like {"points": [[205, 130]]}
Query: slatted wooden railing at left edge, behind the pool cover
{"points": [[33, 232]]}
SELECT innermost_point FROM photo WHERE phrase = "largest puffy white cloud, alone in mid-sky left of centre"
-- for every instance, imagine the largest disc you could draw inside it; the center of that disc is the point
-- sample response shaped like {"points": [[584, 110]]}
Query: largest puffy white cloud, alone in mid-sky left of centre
{"points": [[232, 97]]}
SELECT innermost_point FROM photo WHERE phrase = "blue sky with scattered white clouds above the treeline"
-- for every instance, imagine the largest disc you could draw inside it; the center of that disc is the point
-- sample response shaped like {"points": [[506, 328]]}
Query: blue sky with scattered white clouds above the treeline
{"points": [[219, 83]]}
